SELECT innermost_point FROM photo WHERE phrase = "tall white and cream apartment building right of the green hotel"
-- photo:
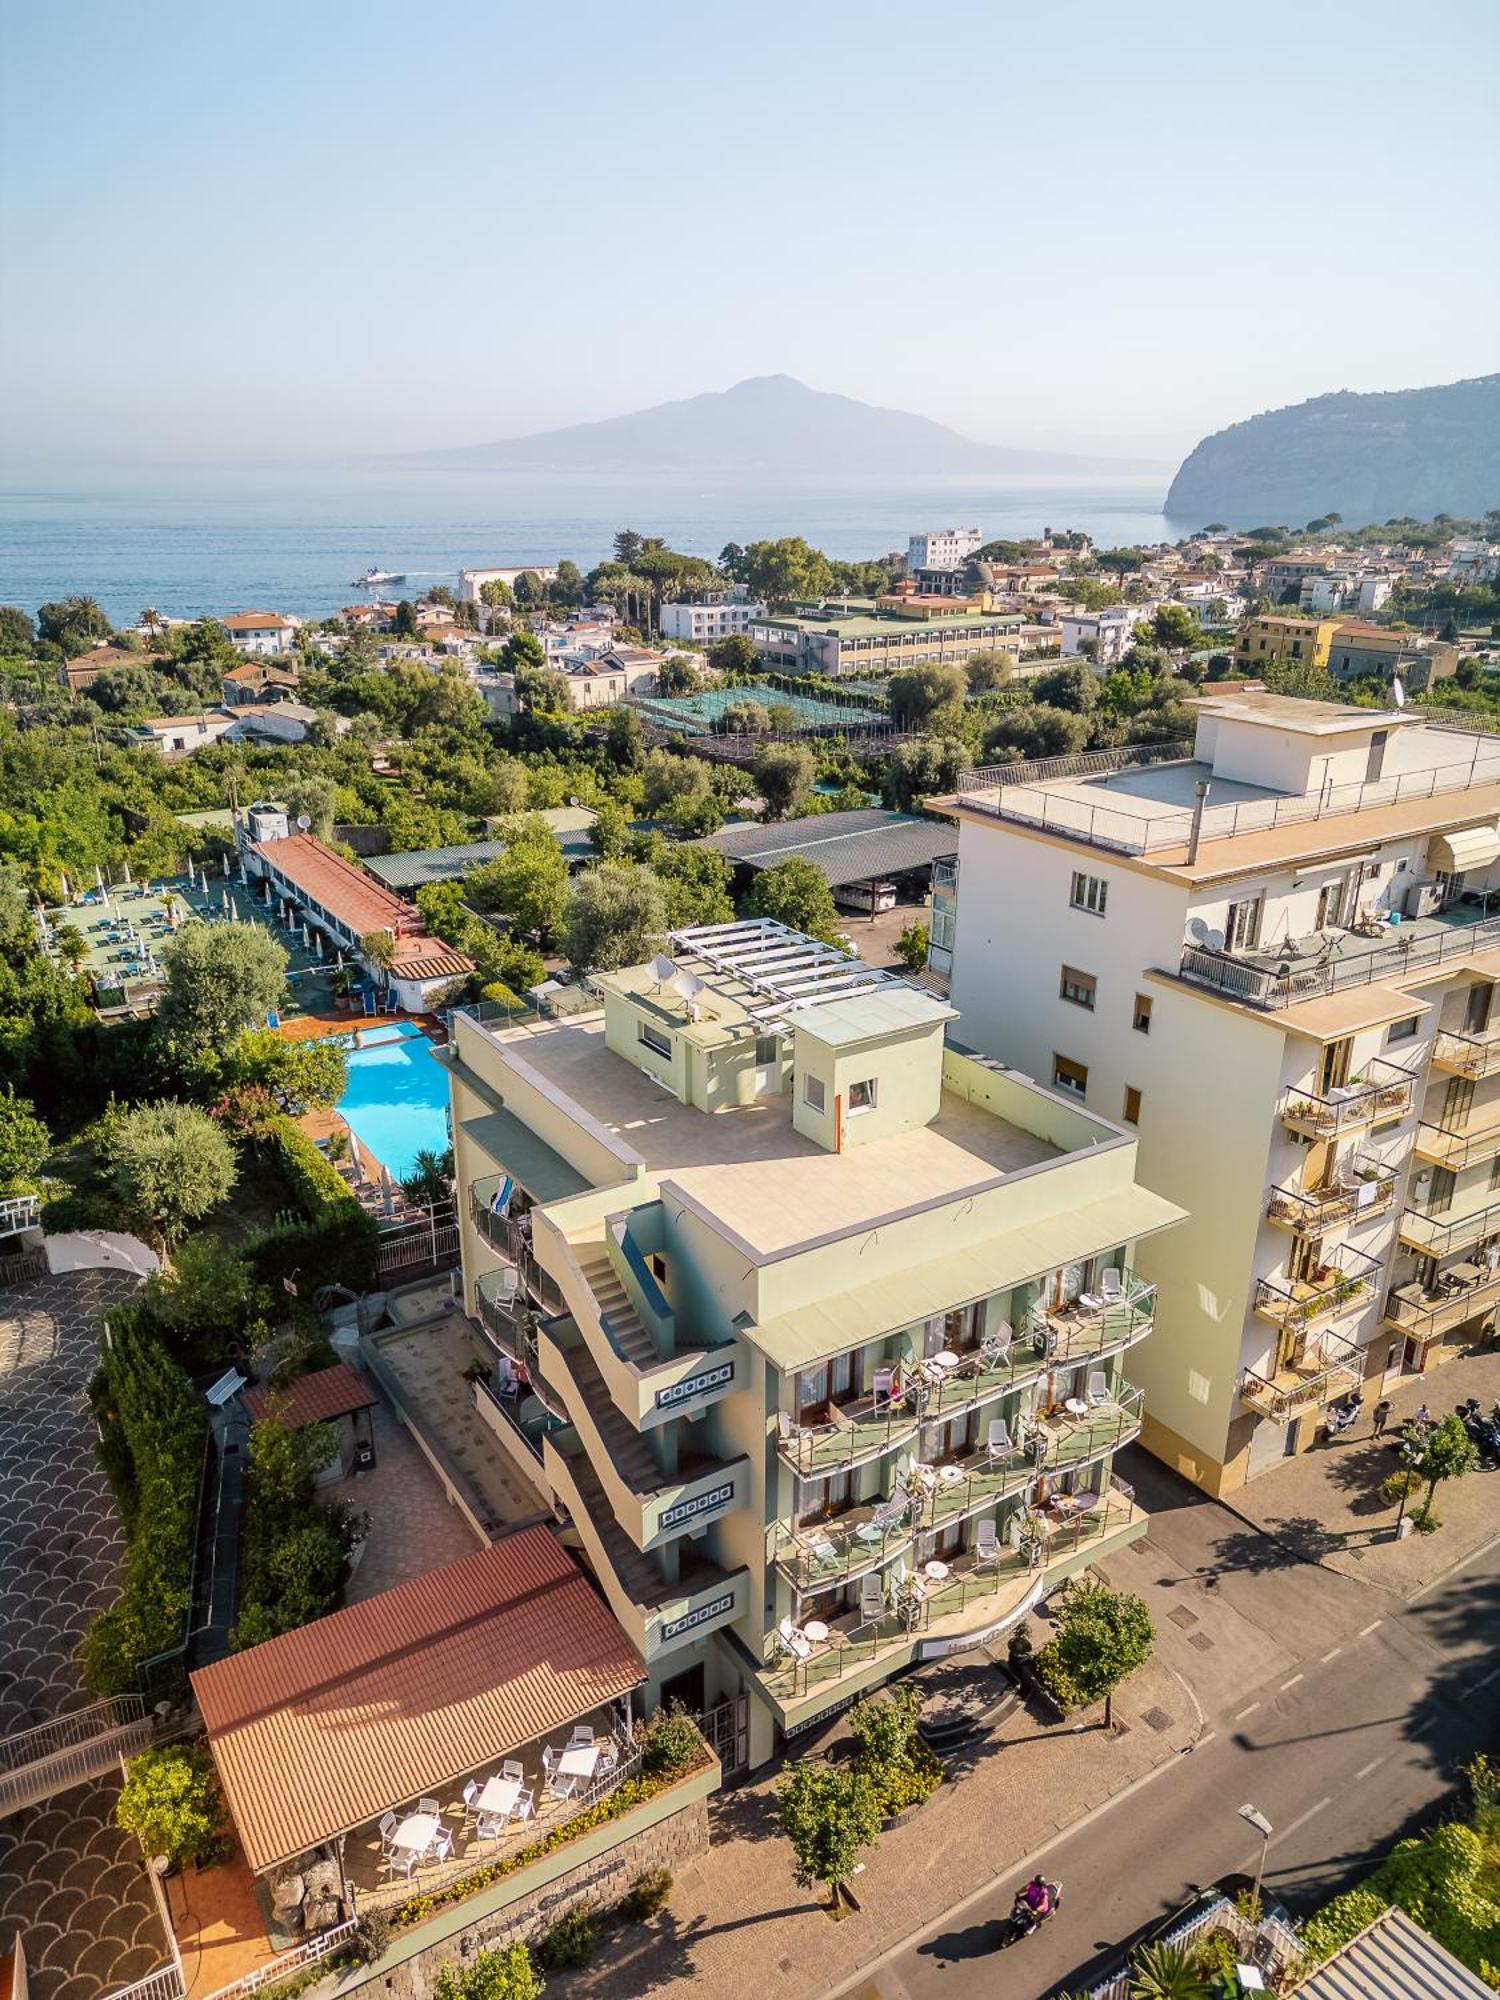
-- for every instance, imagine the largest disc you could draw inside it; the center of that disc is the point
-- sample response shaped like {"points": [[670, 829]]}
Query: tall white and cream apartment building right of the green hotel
{"points": [[1275, 961]]}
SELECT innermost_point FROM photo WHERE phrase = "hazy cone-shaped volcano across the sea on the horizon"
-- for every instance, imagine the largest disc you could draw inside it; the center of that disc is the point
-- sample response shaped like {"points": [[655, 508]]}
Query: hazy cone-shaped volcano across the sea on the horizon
{"points": [[769, 425]]}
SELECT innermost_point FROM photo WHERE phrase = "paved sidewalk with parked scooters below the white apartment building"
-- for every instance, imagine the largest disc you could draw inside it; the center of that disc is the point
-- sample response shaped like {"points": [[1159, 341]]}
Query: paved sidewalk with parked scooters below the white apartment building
{"points": [[1327, 1503]]}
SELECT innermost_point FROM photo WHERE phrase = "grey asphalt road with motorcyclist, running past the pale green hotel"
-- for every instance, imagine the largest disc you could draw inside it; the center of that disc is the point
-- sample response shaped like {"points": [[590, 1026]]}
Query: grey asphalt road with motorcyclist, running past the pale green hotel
{"points": [[1343, 1751]]}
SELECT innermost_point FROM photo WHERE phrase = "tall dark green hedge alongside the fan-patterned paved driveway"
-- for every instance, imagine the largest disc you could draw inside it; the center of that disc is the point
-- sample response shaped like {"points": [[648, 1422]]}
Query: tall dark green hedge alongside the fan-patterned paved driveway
{"points": [[153, 1451]]}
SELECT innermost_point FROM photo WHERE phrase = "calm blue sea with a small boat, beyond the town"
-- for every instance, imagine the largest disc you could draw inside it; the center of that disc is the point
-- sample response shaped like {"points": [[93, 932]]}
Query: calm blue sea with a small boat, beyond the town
{"points": [[199, 543]]}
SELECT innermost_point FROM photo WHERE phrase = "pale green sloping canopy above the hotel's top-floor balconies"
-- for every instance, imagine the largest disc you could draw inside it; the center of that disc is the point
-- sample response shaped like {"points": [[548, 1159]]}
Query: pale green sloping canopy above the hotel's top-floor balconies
{"points": [[847, 1321]]}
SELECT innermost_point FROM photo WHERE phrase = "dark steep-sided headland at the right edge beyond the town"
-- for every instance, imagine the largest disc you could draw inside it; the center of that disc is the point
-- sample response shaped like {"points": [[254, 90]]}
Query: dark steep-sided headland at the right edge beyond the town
{"points": [[1371, 459]]}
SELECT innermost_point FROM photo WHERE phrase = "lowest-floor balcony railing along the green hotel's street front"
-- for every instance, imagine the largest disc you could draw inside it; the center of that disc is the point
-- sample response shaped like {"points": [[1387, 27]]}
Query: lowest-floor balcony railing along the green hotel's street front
{"points": [[981, 1589]]}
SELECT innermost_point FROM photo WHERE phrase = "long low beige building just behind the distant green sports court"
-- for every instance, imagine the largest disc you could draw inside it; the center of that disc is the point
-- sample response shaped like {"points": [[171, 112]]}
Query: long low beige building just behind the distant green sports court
{"points": [[869, 641]]}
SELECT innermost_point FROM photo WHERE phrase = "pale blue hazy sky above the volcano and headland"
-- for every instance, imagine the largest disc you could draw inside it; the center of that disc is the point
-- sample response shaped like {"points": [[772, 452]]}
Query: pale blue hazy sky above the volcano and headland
{"points": [[251, 229]]}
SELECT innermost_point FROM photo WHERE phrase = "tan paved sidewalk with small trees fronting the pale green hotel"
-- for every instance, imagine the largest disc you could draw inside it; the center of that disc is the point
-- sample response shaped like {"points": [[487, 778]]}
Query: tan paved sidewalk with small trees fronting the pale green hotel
{"points": [[739, 1923]]}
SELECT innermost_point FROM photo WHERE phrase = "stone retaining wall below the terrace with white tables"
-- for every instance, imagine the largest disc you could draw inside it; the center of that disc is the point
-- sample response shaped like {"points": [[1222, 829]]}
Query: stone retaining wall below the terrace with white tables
{"points": [[671, 1845]]}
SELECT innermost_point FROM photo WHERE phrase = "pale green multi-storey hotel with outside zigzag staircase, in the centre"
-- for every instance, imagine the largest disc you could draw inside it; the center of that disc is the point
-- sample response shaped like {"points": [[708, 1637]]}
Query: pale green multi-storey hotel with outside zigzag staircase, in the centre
{"points": [[811, 1321]]}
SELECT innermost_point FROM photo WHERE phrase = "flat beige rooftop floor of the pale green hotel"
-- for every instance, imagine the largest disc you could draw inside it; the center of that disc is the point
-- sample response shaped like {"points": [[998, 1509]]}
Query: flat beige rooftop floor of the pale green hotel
{"points": [[751, 1169]]}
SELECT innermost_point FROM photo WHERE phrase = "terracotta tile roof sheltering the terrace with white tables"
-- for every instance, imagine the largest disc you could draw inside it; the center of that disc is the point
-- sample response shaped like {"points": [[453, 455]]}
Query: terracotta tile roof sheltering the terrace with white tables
{"points": [[325, 1729]]}
